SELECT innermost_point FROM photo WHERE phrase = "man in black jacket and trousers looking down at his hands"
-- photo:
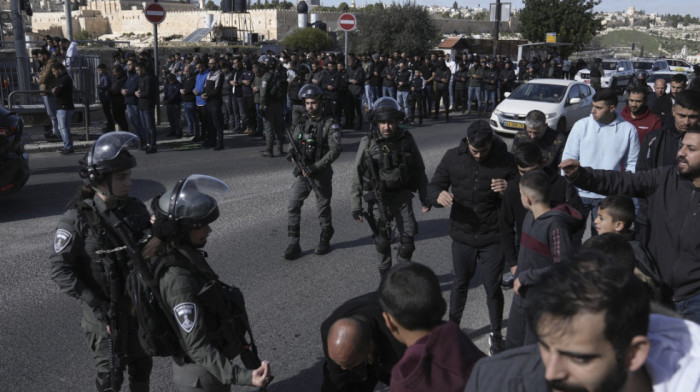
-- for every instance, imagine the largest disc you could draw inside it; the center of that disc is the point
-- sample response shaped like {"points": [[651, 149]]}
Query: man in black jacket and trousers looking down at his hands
{"points": [[477, 171]]}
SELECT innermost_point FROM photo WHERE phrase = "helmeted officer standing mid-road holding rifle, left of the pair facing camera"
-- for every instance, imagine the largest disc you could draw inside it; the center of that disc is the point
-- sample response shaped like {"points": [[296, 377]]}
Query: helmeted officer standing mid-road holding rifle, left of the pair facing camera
{"points": [[317, 141]]}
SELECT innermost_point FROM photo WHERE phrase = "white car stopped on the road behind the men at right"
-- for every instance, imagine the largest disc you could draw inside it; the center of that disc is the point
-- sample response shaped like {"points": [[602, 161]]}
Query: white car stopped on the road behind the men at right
{"points": [[562, 101]]}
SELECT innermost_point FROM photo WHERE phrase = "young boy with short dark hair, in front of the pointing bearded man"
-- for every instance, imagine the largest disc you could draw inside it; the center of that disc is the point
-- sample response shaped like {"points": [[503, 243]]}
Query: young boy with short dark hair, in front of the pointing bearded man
{"points": [[616, 214]]}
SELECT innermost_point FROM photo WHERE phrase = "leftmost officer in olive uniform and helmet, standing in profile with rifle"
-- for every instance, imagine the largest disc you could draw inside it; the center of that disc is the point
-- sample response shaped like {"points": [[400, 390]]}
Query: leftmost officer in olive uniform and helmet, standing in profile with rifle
{"points": [[86, 266]]}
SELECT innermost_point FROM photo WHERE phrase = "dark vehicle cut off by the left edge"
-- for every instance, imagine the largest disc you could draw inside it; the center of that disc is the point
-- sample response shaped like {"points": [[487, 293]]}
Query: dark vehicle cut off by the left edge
{"points": [[14, 161]]}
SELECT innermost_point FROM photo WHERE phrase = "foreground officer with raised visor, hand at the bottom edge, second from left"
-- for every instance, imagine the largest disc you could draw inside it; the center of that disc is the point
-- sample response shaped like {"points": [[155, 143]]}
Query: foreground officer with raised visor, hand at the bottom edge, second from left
{"points": [[192, 290]]}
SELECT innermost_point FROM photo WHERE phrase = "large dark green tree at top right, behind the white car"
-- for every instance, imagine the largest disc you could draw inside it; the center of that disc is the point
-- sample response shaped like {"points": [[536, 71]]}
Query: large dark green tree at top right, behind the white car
{"points": [[573, 20]]}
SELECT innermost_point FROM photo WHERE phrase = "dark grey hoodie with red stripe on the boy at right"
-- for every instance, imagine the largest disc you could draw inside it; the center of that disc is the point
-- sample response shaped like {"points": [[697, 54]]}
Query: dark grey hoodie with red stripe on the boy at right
{"points": [[545, 241]]}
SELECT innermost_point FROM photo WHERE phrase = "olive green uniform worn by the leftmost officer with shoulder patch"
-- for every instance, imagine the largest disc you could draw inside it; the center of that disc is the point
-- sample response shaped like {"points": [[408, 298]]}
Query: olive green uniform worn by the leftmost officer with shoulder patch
{"points": [[80, 272]]}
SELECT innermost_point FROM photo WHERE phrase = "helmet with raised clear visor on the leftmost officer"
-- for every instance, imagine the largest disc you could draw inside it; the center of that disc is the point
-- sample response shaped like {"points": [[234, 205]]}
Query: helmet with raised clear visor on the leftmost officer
{"points": [[109, 155]]}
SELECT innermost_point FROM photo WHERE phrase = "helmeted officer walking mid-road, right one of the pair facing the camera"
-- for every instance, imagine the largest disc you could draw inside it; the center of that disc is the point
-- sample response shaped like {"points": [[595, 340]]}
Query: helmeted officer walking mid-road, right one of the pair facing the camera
{"points": [[389, 168]]}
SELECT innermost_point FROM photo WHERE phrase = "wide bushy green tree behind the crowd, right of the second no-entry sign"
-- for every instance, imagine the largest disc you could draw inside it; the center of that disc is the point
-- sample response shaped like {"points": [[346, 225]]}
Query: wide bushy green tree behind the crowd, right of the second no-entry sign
{"points": [[406, 28]]}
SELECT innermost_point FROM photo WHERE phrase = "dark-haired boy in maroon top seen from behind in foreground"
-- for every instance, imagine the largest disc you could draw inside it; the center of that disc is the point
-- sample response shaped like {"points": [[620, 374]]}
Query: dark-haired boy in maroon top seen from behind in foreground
{"points": [[439, 356]]}
